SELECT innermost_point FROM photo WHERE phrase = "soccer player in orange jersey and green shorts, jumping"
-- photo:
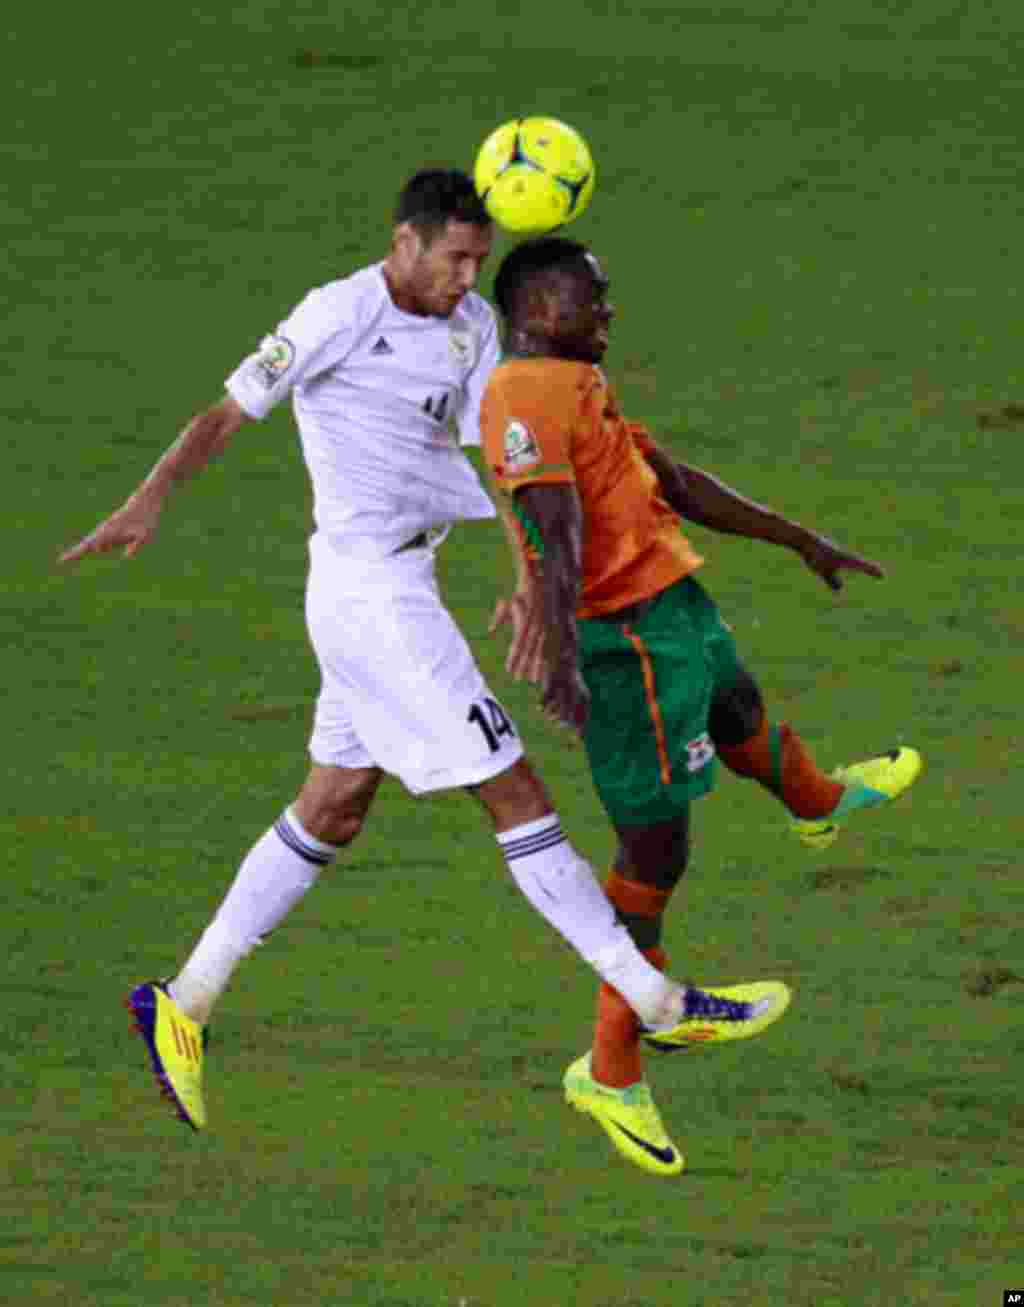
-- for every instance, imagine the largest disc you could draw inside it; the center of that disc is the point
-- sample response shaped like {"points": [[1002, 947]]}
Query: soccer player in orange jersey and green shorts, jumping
{"points": [[631, 649]]}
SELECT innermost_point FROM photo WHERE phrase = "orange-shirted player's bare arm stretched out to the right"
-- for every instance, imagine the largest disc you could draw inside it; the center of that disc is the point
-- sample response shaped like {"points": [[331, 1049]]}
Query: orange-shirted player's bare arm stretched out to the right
{"points": [[703, 499]]}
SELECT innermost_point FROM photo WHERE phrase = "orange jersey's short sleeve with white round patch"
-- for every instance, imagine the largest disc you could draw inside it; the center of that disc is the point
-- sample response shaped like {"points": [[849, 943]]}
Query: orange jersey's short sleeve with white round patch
{"points": [[529, 420]]}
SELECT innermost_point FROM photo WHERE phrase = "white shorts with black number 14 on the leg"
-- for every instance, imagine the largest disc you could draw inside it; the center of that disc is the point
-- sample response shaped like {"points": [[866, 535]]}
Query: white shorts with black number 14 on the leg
{"points": [[401, 689]]}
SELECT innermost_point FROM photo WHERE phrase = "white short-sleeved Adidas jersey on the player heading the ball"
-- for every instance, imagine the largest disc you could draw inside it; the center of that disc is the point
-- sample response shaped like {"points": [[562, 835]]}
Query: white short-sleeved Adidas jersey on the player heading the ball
{"points": [[375, 390]]}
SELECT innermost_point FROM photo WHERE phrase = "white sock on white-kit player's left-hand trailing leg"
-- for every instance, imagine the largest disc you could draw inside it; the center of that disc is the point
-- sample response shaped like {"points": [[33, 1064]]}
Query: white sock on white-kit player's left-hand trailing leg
{"points": [[278, 871]]}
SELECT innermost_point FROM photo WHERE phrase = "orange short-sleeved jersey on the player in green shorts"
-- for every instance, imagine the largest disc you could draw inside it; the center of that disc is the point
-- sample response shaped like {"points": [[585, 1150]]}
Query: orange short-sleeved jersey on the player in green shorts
{"points": [[551, 422]]}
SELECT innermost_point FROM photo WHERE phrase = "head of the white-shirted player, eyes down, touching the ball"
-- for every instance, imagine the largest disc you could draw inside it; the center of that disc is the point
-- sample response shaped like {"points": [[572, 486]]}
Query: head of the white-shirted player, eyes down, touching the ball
{"points": [[443, 236]]}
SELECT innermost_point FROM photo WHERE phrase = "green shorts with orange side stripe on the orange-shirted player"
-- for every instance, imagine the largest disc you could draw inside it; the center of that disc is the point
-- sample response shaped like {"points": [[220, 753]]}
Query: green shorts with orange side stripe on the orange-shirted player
{"points": [[652, 671]]}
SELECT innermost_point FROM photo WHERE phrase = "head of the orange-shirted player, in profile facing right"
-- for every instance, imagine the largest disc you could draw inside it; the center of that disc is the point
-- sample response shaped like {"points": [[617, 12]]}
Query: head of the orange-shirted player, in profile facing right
{"points": [[554, 297]]}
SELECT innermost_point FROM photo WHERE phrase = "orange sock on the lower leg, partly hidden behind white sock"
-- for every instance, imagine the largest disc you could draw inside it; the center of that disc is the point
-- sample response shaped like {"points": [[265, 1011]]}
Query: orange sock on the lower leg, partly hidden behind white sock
{"points": [[615, 1057]]}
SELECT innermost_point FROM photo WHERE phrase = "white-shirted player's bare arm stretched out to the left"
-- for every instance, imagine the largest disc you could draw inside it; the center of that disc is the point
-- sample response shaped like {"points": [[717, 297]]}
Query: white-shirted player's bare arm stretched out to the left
{"points": [[134, 525]]}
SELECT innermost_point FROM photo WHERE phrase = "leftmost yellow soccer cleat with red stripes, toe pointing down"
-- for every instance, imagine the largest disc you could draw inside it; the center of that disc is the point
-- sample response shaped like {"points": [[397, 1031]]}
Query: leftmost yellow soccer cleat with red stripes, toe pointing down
{"points": [[176, 1048]]}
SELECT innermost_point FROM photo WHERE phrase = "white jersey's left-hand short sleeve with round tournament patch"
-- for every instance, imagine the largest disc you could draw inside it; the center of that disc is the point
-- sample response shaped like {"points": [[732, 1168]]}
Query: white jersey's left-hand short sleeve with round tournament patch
{"points": [[313, 339]]}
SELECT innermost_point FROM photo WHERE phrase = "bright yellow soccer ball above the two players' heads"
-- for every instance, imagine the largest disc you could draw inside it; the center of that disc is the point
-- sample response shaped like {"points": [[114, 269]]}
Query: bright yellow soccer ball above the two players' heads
{"points": [[534, 174]]}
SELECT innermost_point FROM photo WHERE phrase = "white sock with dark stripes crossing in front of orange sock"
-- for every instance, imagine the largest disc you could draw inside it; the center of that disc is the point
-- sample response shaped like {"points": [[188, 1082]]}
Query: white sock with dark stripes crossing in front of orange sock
{"points": [[563, 888]]}
